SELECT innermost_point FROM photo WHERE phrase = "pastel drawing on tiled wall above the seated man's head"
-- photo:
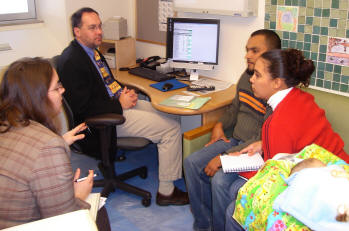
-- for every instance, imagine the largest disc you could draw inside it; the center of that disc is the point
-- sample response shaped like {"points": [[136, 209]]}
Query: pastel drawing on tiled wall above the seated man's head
{"points": [[287, 18]]}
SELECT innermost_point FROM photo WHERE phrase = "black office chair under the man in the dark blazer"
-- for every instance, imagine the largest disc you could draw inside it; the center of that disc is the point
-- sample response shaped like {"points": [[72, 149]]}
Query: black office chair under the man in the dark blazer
{"points": [[106, 126]]}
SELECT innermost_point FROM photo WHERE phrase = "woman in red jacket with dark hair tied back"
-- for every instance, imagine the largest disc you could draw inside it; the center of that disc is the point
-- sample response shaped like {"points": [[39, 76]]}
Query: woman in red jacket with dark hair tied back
{"points": [[297, 121]]}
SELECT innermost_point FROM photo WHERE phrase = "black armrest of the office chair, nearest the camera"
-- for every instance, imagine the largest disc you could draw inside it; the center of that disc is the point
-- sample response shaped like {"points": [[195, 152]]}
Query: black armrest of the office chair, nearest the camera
{"points": [[108, 119]]}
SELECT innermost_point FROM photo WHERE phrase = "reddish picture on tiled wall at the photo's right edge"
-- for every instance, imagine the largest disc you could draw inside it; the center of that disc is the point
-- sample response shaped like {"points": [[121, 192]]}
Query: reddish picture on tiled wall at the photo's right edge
{"points": [[338, 51]]}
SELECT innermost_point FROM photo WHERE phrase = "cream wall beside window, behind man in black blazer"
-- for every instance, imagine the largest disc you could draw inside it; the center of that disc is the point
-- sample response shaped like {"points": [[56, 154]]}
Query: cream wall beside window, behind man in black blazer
{"points": [[52, 36]]}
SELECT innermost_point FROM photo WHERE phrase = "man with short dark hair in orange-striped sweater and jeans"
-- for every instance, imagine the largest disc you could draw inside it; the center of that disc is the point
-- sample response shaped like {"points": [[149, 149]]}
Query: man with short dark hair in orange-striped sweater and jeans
{"points": [[210, 190]]}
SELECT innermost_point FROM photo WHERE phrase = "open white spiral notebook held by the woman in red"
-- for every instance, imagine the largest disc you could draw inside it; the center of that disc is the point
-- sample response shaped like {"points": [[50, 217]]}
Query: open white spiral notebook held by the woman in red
{"points": [[241, 163]]}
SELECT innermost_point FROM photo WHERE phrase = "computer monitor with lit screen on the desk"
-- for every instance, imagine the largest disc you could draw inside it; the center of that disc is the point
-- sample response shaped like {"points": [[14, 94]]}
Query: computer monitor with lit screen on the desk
{"points": [[192, 43]]}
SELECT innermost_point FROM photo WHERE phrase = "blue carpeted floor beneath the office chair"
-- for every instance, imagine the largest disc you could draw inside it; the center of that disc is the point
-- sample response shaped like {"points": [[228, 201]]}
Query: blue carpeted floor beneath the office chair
{"points": [[126, 212]]}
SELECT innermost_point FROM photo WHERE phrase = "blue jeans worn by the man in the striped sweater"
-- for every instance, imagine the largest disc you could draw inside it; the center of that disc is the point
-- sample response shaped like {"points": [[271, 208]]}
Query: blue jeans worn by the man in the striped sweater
{"points": [[209, 197]]}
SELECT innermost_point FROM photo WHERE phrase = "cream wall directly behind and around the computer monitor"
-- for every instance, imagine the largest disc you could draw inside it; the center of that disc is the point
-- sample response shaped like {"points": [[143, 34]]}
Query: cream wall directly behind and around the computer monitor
{"points": [[235, 32]]}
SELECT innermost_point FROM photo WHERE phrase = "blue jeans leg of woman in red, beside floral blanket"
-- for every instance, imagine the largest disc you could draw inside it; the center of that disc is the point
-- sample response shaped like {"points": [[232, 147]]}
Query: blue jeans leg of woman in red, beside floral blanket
{"points": [[230, 223]]}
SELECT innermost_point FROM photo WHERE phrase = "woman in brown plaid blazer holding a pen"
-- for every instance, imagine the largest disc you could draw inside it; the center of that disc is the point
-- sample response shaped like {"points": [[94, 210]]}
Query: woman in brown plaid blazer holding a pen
{"points": [[36, 178]]}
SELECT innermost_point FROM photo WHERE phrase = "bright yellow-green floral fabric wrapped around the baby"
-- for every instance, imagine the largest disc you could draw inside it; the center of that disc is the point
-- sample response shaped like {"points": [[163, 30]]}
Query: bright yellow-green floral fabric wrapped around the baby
{"points": [[253, 208]]}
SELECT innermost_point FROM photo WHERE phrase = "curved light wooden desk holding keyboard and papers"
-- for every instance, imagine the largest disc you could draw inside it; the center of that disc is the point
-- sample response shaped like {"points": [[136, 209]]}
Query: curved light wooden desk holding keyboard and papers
{"points": [[211, 111]]}
